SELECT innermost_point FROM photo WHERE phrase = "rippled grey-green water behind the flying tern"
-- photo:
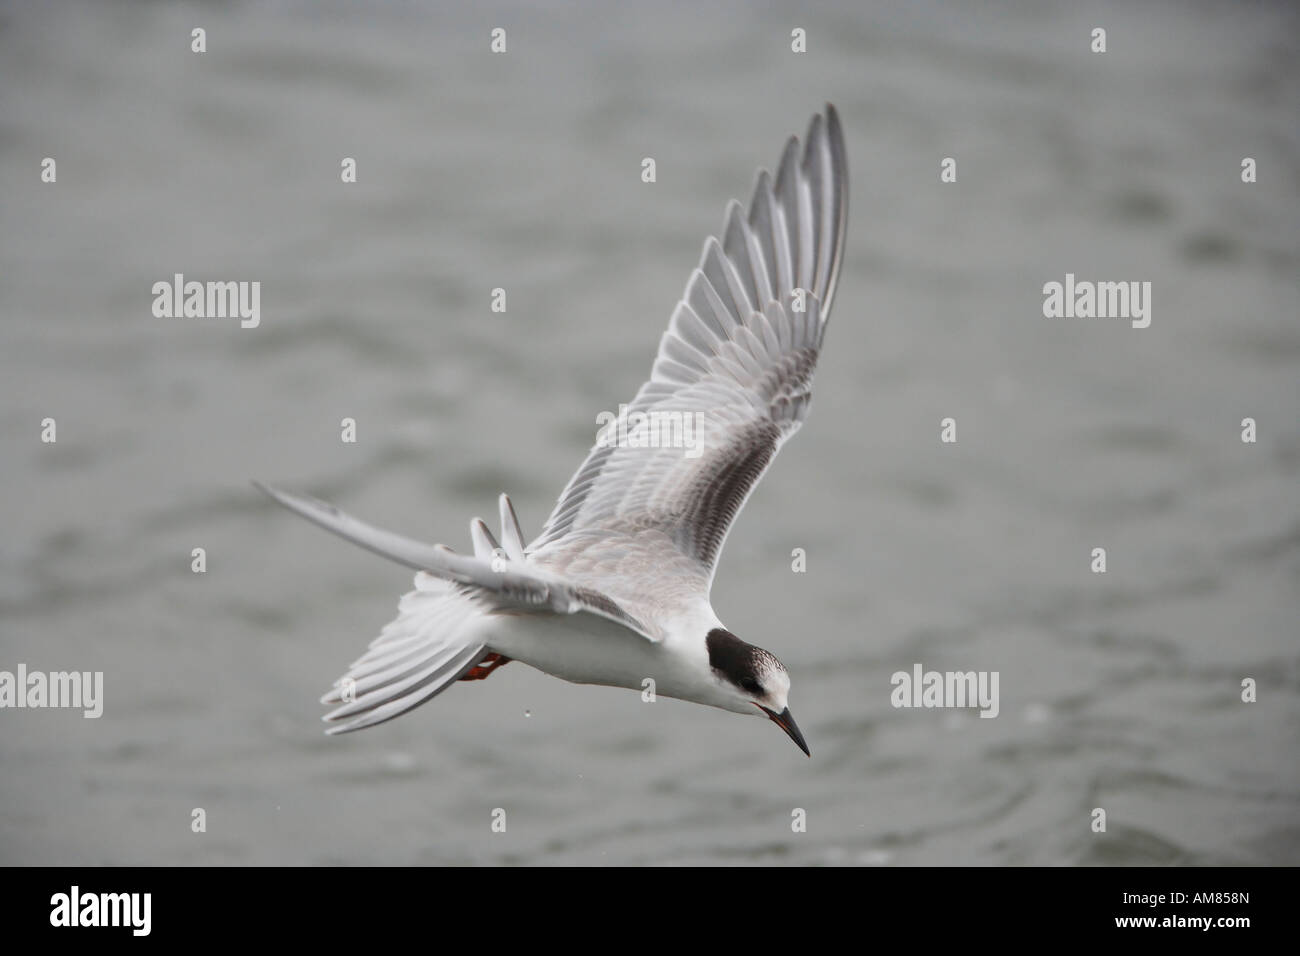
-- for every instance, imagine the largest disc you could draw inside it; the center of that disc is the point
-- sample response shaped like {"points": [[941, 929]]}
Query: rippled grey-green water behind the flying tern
{"points": [[523, 171]]}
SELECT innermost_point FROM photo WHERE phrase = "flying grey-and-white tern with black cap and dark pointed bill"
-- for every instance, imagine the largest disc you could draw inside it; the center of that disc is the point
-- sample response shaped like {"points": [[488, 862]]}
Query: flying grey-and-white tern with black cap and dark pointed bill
{"points": [[616, 589]]}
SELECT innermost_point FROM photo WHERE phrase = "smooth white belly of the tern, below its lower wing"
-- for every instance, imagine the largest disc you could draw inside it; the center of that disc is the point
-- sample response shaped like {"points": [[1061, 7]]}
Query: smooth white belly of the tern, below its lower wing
{"points": [[584, 650]]}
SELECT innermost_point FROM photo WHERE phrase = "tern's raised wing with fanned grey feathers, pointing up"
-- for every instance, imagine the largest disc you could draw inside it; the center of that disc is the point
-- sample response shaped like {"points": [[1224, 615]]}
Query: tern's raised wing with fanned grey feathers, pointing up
{"points": [[731, 383]]}
